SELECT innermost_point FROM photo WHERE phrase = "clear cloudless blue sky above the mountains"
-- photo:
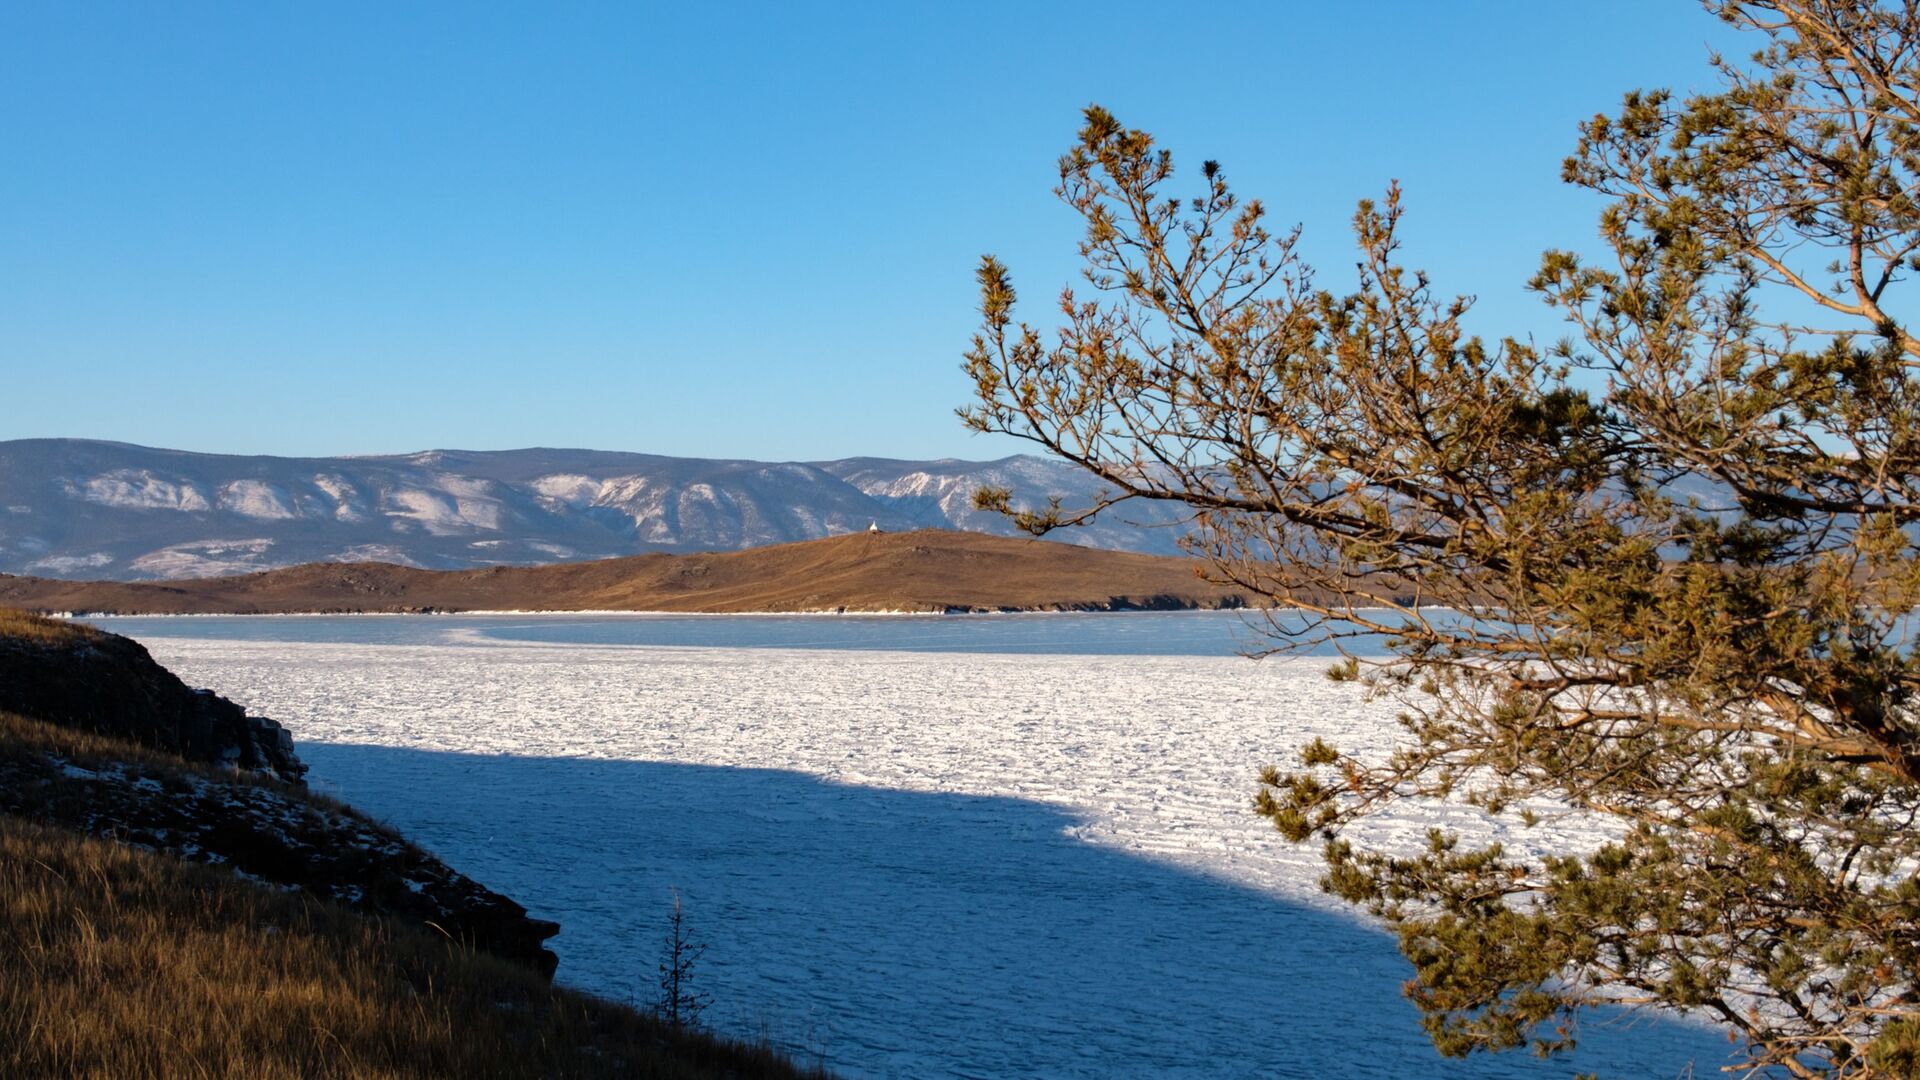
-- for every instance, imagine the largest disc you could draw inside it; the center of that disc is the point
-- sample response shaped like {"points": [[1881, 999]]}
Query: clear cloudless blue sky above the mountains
{"points": [[704, 230]]}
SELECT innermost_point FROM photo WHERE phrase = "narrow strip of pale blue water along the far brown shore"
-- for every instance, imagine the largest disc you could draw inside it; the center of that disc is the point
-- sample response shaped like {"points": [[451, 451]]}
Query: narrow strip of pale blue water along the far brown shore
{"points": [[1120, 633]]}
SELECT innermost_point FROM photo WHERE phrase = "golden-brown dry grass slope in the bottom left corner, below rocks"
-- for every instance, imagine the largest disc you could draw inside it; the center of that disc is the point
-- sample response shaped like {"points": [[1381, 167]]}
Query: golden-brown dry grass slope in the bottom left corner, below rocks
{"points": [[122, 964]]}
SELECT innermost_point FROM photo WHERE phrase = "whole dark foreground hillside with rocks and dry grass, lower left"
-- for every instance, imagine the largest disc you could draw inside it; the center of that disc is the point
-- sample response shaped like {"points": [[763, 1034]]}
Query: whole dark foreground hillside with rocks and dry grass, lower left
{"points": [[176, 908]]}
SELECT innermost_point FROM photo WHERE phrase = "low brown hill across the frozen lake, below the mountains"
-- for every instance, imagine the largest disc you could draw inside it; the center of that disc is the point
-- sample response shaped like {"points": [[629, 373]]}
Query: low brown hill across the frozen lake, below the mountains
{"points": [[886, 572]]}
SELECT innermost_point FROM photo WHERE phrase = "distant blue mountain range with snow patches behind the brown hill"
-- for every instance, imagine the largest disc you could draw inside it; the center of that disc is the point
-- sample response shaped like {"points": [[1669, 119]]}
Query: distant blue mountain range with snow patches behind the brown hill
{"points": [[108, 510]]}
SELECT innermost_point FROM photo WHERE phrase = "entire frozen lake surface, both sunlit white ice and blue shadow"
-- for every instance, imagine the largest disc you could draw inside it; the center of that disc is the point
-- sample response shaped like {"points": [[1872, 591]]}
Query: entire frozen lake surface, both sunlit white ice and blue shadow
{"points": [[917, 847]]}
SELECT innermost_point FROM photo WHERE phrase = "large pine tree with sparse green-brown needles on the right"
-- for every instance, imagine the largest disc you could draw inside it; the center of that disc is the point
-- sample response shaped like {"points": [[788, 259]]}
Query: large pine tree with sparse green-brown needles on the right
{"points": [[1662, 572]]}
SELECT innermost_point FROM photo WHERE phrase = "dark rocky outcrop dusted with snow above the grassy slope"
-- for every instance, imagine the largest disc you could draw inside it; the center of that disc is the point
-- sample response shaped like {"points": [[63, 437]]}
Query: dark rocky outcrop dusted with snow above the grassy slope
{"points": [[78, 679]]}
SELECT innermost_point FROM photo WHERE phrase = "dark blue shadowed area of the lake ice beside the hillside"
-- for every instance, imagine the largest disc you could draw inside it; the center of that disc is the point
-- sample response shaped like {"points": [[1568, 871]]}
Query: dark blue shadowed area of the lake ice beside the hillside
{"points": [[936, 935]]}
